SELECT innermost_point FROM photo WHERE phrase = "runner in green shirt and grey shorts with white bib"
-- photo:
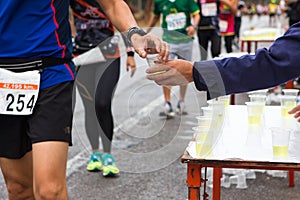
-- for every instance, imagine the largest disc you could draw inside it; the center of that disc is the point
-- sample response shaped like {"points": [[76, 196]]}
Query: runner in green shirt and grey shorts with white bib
{"points": [[178, 32]]}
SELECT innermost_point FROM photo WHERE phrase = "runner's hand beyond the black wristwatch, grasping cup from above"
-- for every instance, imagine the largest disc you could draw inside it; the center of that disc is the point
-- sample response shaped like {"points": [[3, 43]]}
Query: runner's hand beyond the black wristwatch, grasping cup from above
{"points": [[150, 44]]}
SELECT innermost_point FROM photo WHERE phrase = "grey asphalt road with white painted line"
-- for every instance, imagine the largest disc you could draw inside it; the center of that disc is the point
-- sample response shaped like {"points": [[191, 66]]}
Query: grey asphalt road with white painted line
{"points": [[148, 148]]}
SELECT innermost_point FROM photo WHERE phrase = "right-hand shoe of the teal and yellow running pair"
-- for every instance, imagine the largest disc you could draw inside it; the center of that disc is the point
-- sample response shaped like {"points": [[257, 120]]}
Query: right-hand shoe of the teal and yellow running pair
{"points": [[109, 166]]}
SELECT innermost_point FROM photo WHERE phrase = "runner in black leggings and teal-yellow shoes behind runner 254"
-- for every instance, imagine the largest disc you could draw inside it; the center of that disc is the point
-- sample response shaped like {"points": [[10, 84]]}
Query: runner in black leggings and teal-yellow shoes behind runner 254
{"points": [[97, 82]]}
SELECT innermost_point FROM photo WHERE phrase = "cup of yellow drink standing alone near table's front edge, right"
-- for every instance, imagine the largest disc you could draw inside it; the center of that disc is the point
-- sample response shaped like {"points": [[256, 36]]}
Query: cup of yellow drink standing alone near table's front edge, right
{"points": [[280, 141]]}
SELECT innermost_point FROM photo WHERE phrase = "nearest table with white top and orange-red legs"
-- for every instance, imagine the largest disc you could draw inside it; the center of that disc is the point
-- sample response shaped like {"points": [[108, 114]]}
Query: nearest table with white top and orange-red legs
{"points": [[240, 145]]}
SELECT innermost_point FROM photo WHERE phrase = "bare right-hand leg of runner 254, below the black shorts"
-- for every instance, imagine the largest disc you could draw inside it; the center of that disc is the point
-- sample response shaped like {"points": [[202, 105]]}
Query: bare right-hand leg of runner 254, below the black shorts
{"points": [[49, 164]]}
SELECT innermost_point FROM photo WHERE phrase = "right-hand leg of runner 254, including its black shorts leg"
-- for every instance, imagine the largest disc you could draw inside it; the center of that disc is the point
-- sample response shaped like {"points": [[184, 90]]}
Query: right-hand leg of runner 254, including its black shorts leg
{"points": [[50, 132]]}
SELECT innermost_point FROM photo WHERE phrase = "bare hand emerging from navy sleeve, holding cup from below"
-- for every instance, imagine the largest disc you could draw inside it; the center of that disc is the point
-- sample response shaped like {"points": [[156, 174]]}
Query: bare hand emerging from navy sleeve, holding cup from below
{"points": [[171, 73]]}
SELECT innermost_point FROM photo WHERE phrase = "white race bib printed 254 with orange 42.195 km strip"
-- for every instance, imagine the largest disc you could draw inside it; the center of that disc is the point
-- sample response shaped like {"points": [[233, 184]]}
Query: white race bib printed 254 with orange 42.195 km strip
{"points": [[18, 92]]}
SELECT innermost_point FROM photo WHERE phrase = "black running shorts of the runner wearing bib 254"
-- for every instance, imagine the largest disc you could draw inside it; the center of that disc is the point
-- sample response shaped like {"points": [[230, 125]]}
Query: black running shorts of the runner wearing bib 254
{"points": [[51, 121]]}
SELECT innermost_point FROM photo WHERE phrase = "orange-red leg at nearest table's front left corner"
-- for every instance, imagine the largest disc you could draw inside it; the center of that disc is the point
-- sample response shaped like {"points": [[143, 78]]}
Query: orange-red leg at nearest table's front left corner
{"points": [[193, 181]]}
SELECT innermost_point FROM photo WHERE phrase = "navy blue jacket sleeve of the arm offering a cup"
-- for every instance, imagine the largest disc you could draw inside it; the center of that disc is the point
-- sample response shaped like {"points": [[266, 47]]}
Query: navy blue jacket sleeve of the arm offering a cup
{"points": [[267, 68]]}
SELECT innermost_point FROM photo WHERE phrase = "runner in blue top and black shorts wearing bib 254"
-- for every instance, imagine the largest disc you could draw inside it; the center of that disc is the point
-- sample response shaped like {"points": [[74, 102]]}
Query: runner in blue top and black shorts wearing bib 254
{"points": [[36, 85]]}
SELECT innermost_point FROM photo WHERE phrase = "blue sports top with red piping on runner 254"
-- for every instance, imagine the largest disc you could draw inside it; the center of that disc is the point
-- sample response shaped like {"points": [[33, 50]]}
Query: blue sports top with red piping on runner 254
{"points": [[32, 29]]}
